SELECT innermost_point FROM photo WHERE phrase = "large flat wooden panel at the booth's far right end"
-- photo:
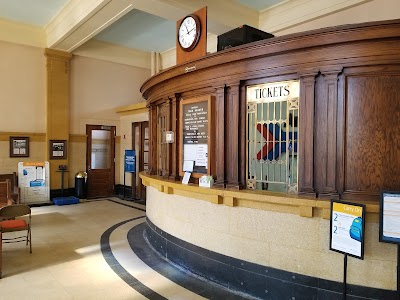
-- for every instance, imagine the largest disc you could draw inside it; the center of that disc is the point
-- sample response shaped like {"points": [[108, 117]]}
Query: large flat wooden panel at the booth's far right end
{"points": [[372, 140]]}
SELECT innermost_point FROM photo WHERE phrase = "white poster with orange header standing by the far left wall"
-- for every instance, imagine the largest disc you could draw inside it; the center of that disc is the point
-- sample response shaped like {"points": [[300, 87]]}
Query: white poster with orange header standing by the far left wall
{"points": [[34, 182]]}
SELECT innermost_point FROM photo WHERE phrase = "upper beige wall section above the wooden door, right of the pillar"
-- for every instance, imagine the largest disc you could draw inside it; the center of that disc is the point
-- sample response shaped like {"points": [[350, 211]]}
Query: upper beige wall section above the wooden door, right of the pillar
{"points": [[98, 87]]}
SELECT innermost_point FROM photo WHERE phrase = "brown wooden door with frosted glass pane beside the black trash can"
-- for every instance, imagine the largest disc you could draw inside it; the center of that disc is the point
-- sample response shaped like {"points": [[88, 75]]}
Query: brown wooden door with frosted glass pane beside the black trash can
{"points": [[100, 158]]}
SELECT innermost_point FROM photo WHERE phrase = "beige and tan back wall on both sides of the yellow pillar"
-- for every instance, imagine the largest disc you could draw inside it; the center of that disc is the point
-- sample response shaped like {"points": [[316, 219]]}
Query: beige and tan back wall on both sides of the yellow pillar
{"points": [[97, 89]]}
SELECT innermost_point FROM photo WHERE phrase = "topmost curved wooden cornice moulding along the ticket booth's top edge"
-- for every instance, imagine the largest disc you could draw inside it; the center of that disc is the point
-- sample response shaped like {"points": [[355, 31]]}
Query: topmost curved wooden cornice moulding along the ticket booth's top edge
{"points": [[324, 38]]}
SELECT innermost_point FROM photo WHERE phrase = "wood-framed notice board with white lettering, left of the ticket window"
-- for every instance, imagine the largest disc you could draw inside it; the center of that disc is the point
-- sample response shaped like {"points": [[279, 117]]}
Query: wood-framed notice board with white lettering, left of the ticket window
{"points": [[196, 131]]}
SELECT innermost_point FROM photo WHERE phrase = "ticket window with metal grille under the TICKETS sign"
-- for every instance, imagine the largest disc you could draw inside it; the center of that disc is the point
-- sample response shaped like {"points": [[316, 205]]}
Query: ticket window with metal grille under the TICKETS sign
{"points": [[272, 136]]}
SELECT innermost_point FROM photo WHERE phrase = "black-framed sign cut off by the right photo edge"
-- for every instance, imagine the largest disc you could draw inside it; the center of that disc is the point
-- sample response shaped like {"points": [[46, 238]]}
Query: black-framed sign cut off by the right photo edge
{"points": [[389, 225]]}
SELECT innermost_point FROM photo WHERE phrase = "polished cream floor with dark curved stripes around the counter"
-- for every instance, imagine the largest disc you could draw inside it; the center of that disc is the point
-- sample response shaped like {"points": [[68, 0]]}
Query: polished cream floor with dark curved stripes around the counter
{"points": [[67, 260]]}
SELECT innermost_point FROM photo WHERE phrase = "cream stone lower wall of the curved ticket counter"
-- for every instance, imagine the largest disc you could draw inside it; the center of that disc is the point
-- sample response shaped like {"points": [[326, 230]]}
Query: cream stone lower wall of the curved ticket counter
{"points": [[275, 239]]}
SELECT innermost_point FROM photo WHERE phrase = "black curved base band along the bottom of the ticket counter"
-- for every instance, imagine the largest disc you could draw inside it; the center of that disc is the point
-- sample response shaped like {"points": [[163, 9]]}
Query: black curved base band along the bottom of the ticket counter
{"points": [[256, 280]]}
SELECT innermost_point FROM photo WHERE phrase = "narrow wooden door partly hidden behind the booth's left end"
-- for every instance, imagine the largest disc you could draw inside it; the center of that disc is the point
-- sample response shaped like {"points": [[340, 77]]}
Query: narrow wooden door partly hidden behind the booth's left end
{"points": [[140, 143]]}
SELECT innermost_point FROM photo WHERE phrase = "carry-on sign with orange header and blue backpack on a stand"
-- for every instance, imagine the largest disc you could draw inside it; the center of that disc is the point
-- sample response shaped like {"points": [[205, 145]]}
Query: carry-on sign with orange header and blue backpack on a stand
{"points": [[347, 226]]}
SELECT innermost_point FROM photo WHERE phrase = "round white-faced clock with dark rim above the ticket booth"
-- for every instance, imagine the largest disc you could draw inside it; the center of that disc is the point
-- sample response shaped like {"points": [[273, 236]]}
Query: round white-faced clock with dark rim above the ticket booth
{"points": [[189, 32]]}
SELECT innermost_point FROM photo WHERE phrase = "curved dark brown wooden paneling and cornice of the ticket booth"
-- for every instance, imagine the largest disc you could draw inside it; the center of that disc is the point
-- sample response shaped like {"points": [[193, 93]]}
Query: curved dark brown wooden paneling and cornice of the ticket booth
{"points": [[348, 106]]}
